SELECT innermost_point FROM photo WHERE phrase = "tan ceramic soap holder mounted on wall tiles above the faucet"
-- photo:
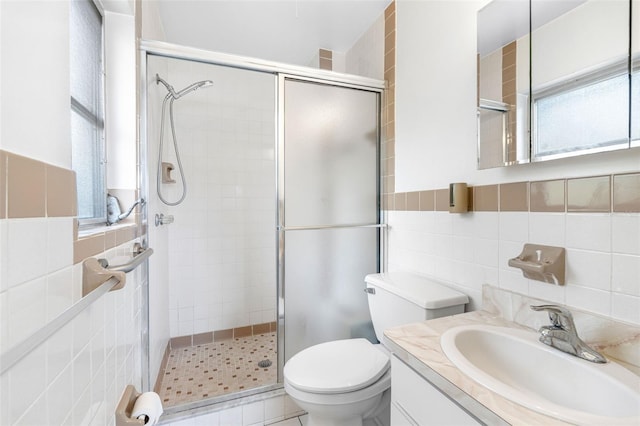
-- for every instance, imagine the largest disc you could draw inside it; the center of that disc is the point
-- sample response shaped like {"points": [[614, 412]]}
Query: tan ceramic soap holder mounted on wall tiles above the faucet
{"points": [[541, 263]]}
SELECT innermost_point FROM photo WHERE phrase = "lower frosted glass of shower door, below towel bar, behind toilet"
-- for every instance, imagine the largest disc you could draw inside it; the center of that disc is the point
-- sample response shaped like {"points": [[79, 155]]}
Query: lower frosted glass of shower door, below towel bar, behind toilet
{"points": [[325, 298]]}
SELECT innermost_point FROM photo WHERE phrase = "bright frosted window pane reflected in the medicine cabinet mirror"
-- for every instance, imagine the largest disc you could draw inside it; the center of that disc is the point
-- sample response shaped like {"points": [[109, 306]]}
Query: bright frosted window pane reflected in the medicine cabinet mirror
{"points": [[560, 118]]}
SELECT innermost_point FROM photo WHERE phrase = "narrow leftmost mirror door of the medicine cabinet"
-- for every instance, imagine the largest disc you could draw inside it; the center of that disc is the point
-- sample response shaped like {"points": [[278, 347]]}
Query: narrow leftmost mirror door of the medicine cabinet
{"points": [[503, 83]]}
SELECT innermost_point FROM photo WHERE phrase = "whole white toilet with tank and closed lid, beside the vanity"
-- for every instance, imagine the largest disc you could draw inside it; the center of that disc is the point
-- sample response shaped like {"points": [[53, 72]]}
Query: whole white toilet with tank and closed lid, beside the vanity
{"points": [[347, 382]]}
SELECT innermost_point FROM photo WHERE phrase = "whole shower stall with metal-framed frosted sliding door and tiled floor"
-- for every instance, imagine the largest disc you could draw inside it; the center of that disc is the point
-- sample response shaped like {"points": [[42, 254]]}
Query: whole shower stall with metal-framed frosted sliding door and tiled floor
{"points": [[267, 252]]}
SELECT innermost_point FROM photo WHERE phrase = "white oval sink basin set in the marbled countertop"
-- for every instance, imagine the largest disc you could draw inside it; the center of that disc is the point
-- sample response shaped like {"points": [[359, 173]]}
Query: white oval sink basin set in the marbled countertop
{"points": [[515, 365]]}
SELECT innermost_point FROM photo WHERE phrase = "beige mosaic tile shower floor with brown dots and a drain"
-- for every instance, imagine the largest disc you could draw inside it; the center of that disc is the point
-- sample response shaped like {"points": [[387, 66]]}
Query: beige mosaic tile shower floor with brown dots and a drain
{"points": [[218, 368]]}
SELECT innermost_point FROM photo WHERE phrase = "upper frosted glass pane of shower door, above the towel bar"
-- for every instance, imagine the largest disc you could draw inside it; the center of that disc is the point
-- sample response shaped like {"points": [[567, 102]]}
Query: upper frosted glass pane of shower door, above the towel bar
{"points": [[331, 149]]}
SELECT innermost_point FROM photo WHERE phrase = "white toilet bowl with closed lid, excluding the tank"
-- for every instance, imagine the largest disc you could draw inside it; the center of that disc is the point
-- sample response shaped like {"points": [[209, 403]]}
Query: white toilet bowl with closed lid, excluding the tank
{"points": [[340, 383]]}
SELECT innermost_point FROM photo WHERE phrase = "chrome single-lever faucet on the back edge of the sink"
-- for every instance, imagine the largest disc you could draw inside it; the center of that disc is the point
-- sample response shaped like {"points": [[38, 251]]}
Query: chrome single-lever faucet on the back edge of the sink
{"points": [[562, 334]]}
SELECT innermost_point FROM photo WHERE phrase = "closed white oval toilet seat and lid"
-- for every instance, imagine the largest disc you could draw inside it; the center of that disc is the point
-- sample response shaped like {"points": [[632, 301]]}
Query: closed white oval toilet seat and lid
{"points": [[338, 366]]}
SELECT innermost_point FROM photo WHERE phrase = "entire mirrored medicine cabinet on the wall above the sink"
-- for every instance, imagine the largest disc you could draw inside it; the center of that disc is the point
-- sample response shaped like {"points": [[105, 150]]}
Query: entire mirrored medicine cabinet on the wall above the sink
{"points": [[557, 79]]}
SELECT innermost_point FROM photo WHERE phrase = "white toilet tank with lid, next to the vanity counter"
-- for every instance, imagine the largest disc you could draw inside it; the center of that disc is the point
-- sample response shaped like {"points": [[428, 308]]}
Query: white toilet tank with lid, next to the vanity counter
{"points": [[397, 298]]}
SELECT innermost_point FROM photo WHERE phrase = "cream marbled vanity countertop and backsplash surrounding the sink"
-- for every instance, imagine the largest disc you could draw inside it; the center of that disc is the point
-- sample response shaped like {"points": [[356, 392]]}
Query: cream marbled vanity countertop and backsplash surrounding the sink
{"points": [[418, 345]]}
